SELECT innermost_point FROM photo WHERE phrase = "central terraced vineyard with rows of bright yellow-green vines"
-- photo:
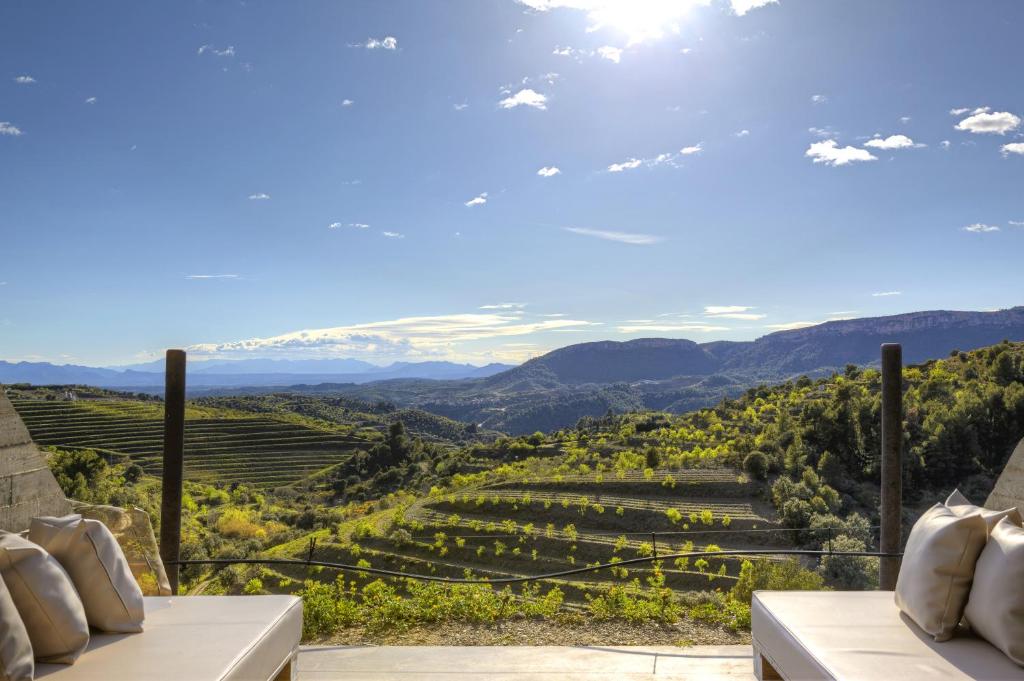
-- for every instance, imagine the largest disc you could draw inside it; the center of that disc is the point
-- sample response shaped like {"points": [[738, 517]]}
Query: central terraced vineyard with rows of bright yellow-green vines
{"points": [[534, 527]]}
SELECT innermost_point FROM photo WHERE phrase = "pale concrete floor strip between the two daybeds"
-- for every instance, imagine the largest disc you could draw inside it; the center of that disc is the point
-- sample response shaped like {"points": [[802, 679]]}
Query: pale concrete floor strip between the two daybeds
{"points": [[526, 663]]}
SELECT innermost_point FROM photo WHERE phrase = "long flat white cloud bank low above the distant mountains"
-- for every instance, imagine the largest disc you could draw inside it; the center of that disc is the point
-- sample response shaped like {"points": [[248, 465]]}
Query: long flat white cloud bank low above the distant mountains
{"points": [[415, 337]]}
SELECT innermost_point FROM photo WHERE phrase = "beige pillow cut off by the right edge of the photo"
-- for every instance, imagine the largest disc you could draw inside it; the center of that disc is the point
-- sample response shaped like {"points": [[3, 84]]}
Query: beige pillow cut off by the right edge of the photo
{"points": [[996, 607]]}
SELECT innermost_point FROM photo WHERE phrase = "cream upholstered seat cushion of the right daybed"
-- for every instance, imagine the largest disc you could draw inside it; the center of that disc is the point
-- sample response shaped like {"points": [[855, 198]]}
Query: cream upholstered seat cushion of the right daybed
{"points": [[863, 635]]}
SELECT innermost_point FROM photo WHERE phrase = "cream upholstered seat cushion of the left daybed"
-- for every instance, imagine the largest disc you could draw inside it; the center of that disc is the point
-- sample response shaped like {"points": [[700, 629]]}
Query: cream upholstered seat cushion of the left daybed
{"points": [[201, 639]]}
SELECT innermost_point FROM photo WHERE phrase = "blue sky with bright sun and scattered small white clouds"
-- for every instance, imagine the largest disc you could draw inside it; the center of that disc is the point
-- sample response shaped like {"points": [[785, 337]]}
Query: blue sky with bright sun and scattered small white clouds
{"points": [[485, 181]]}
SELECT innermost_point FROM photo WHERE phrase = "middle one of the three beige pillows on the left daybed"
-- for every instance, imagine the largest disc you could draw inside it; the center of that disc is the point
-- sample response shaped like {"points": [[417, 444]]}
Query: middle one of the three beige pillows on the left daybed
{"points": [[46, 599]]}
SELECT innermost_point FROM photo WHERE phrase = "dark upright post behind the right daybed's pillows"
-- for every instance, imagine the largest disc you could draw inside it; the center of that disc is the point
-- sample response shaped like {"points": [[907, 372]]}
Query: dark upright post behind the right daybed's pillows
{"points": [[892, 470]]}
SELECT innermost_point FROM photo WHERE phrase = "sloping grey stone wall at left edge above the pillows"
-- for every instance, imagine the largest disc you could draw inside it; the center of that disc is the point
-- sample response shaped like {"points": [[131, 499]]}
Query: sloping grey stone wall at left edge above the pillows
{"points": [[27, 487]]}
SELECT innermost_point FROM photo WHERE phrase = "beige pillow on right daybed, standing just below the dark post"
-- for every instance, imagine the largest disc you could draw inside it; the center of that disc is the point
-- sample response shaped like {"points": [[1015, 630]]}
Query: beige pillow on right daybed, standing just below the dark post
{"points": [[938, 568]]}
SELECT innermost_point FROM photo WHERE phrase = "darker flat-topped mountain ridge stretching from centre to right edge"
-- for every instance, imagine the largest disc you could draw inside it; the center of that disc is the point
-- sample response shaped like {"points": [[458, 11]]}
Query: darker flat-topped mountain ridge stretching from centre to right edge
{"points": [[590, 379]]}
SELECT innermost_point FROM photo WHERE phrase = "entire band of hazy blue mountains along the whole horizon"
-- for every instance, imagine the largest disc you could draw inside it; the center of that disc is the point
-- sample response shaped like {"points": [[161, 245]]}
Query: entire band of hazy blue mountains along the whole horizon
{"points": [[557, 390]]}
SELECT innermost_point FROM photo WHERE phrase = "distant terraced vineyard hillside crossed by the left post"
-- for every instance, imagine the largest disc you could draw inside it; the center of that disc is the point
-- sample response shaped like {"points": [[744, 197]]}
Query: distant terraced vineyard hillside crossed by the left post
{"points": [[221, 445]]}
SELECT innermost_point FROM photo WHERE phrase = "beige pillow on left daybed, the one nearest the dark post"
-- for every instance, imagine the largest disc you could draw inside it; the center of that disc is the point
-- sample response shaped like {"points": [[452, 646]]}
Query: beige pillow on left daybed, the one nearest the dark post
{"points": [[89, 551]]}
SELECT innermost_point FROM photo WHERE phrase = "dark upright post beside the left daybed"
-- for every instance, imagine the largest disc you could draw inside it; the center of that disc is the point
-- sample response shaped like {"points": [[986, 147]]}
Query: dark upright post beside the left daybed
{"points": [[175, 440]]}
